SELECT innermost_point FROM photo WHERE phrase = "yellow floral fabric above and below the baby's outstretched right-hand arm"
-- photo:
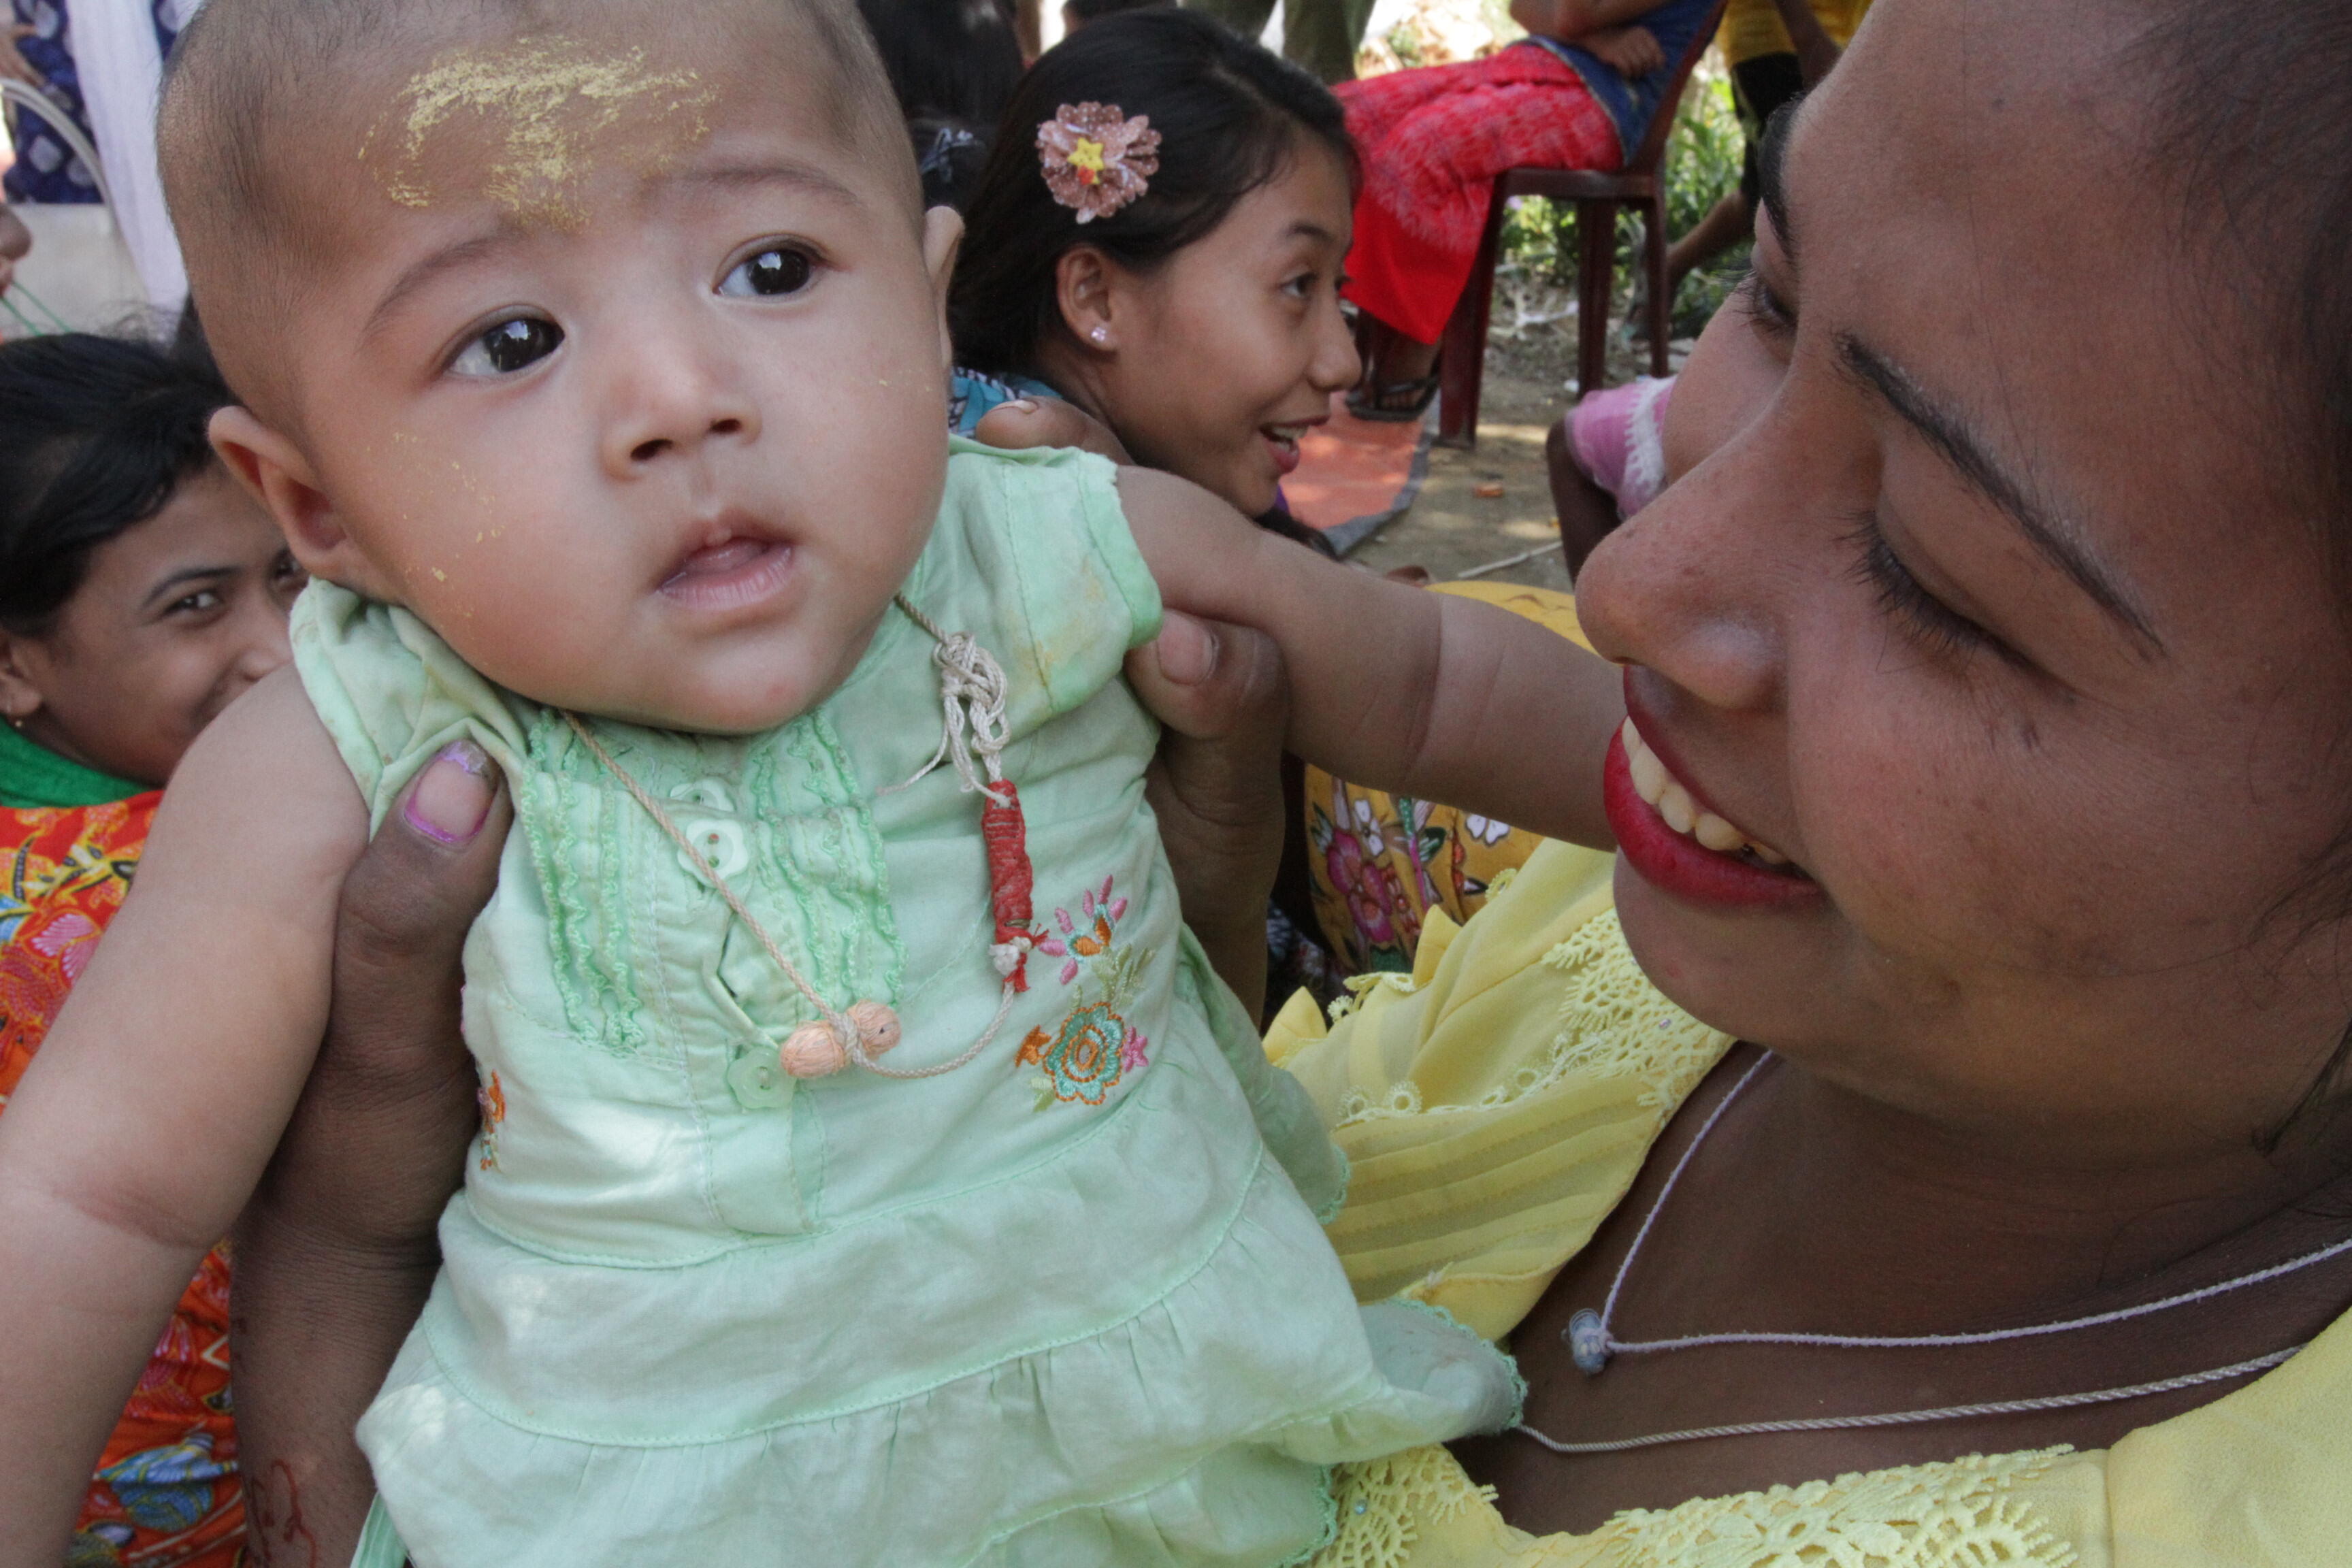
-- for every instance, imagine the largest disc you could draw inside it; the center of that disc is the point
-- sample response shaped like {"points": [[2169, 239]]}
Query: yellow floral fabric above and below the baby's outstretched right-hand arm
{"points": [[1379, 864]]}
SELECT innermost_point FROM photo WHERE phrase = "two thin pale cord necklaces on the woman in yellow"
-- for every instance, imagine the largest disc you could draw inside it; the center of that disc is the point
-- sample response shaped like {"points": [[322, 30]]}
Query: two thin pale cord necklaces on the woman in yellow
{"points": [[1593, 1346]]}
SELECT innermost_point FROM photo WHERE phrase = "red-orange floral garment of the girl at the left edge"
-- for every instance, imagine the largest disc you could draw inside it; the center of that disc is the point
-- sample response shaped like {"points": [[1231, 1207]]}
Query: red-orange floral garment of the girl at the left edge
{"points": [[166, 1492]]}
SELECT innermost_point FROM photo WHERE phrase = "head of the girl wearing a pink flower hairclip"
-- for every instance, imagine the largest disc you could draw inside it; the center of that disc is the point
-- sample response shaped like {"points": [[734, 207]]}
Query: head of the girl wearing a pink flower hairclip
{"points": [[1156, 272]]}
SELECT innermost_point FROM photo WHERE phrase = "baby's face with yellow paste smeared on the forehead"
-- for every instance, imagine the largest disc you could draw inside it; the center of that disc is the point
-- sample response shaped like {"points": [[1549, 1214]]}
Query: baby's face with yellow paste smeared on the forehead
{"points": [[636, 398]]}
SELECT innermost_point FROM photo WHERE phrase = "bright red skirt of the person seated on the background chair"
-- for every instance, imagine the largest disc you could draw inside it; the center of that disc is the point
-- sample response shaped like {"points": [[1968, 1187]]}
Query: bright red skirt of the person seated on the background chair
{"points": [[1431, 142]]}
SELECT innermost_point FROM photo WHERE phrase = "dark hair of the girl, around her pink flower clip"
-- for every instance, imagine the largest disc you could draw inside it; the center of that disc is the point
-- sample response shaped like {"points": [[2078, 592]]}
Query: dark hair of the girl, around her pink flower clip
{"points": [[1229, 119]]}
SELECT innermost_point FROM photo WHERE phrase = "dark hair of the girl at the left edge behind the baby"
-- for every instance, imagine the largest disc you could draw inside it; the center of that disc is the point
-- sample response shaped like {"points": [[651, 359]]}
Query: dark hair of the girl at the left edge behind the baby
{"points": [[95, 436]]}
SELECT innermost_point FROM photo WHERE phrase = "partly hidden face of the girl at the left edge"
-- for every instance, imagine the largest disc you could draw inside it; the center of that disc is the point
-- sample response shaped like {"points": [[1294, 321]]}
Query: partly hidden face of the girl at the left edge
{"points": [[175, 619]]}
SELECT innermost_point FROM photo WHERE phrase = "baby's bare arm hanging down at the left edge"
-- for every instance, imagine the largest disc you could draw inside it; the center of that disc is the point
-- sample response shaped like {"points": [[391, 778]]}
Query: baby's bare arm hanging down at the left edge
{"points": [[159, 1097]]}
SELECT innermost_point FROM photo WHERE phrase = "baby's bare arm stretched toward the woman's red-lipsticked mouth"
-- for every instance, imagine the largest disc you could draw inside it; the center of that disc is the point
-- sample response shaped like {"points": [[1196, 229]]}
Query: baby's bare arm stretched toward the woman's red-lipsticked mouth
{"points": [[1396, 688]]}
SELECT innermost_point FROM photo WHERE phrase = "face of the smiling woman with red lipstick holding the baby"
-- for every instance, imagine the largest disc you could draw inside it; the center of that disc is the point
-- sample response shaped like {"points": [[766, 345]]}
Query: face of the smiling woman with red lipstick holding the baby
{"points": [[1996, 605]]}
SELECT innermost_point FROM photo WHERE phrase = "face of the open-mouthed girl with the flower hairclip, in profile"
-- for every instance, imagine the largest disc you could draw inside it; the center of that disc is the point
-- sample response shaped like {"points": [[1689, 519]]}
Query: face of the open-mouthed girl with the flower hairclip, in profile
{"points": [[1222, 359]]}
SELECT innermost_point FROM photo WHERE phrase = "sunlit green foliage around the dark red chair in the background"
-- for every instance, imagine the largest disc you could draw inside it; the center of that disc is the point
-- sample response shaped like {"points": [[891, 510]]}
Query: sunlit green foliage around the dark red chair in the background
{"points": [[1702, 166]]}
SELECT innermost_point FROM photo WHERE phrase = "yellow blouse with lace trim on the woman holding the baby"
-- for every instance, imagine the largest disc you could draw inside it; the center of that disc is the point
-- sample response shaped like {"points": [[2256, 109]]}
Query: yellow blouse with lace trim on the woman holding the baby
{"points": [[1499, 1101]]}
